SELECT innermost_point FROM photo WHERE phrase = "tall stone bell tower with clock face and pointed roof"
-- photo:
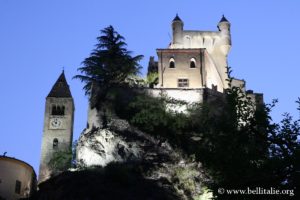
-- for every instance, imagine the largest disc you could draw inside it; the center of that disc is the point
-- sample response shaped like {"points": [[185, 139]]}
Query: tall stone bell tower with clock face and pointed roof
{"points": [[58, 125]]}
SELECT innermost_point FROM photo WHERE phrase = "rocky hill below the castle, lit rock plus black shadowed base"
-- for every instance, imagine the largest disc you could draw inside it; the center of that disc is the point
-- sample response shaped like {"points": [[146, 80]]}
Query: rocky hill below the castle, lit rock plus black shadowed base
{"points": [[121, 162]]}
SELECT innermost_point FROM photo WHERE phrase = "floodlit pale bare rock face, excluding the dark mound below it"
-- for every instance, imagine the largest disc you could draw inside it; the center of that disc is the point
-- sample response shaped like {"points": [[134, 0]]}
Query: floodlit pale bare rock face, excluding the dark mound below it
{"points": [[119, 142]]}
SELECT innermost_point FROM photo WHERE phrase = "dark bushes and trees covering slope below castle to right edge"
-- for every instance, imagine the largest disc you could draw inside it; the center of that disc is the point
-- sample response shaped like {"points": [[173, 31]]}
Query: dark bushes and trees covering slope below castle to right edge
{"points": [[239, 145]]}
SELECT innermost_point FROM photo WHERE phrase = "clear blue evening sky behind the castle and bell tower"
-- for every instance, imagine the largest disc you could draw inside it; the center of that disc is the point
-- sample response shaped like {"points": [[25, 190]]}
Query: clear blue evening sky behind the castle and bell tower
{"points": [[40, 38]]}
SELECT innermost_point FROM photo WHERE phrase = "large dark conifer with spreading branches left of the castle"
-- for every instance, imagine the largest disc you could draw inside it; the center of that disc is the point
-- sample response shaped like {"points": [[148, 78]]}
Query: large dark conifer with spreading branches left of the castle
{"points": [[109, 64]]}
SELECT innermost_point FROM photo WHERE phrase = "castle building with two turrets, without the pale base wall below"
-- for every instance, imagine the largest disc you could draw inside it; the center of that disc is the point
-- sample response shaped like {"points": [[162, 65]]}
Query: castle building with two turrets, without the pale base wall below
{"points": [[195, 59]]}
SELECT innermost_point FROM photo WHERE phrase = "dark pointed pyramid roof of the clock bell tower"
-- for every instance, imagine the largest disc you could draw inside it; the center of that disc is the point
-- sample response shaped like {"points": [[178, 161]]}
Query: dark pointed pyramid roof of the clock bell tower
{"points": [[60, 88]]}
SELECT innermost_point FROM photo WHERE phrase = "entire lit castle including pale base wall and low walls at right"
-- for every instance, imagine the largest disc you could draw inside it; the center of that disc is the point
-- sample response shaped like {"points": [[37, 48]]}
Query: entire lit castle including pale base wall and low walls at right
{"points": [[195, 64]]}
